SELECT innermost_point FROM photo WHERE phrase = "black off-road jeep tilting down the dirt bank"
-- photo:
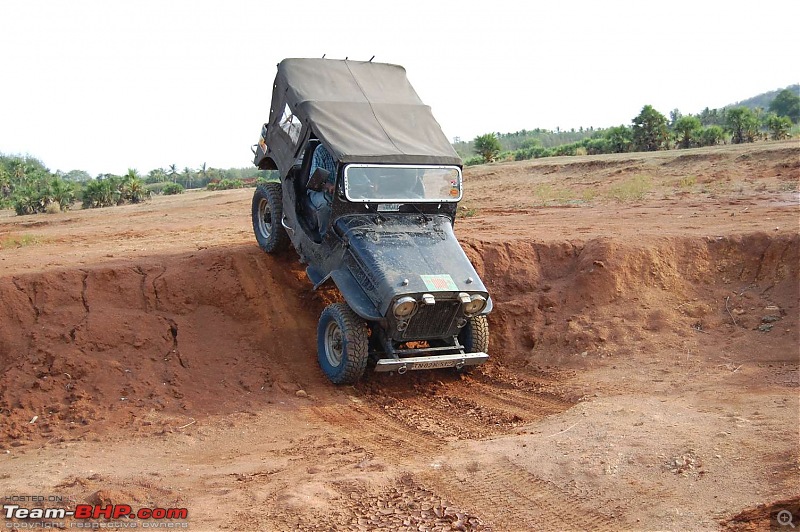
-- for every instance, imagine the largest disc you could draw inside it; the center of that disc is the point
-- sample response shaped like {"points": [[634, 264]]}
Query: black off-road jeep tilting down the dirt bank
{"points": [[412, 298]]}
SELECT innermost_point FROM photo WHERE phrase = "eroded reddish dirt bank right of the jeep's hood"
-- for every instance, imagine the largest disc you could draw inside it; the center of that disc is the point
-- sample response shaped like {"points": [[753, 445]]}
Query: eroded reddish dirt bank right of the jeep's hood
{"points": [[606, 292]]}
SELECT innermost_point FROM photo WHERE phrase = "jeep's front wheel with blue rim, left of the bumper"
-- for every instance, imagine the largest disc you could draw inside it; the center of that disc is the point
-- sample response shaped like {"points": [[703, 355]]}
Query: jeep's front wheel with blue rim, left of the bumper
{"points": [[342, 344]]}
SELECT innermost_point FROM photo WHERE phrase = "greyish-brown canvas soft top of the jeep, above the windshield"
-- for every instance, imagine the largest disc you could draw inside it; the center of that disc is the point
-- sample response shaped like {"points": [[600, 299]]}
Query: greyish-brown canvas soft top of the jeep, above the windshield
{"points": [[361, 111]]}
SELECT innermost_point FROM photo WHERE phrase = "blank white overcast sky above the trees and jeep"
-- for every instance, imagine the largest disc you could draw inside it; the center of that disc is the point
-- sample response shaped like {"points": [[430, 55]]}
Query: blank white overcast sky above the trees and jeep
{"points": [[106, 85]]}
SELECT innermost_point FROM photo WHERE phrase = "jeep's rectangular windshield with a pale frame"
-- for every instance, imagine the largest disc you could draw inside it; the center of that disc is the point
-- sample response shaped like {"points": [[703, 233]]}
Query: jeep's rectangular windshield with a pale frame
{"points": [[398, 184]]}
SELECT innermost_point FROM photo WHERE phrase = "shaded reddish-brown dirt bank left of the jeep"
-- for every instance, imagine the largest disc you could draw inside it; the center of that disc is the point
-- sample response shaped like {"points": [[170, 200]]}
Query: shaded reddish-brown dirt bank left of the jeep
{"points": [[135, 345]]}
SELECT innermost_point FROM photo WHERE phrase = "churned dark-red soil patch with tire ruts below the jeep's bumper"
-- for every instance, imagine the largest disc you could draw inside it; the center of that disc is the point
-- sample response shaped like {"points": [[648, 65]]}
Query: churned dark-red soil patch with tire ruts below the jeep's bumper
{"points": [[424, 409]]}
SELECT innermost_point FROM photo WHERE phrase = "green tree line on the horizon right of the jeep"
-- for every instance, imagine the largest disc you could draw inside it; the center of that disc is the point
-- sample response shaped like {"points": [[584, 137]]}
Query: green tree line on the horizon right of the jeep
{"points": [[649, 131]]}
